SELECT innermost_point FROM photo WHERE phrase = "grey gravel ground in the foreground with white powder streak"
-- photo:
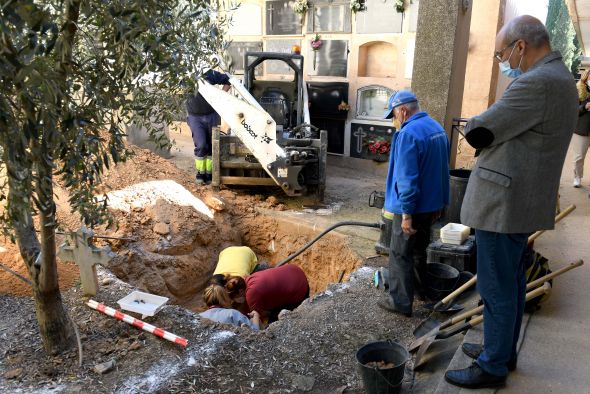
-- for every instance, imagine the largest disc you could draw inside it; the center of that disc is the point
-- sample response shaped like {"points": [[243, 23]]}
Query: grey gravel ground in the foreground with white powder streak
{"points": [[312, 349]]}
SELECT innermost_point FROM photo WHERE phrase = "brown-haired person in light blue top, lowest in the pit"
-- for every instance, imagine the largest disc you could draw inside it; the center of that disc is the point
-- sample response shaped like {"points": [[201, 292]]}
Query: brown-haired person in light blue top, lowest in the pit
{"points": [[219, 303]]}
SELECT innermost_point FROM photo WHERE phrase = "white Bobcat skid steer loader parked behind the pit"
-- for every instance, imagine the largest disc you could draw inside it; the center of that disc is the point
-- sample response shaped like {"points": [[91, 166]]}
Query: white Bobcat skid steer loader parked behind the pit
{"points": [[271, 140]]}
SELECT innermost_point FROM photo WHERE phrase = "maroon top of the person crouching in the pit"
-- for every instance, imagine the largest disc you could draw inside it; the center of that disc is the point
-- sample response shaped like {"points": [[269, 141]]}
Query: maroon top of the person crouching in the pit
{"points": [[274, 289]]}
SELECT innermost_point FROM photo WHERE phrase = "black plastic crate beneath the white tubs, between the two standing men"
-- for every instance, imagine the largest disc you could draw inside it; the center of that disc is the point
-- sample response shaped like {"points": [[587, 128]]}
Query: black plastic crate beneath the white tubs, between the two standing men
{"points": [[462, 257]]}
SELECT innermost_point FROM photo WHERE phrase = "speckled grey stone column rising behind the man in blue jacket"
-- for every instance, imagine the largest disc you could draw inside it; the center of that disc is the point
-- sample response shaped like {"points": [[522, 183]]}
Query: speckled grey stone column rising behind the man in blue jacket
{"points": [[440, 59]]}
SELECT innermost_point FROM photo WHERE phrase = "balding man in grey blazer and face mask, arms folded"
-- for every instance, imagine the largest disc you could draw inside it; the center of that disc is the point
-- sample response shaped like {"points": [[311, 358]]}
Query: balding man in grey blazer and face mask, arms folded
{"points": [[512, 191]]}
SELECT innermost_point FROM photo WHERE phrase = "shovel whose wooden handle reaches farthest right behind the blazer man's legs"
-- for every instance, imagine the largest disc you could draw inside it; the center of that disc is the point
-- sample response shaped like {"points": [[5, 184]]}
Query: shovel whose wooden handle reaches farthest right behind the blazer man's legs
{"points": [[432, 327]]}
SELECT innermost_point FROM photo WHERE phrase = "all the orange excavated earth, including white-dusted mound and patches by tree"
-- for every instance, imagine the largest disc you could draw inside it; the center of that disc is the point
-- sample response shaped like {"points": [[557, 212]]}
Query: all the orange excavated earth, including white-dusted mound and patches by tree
{"points": [[179, 231]]}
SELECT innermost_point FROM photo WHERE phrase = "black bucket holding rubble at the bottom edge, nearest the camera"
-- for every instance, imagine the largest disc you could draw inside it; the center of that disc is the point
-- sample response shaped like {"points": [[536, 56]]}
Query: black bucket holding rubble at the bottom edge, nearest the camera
{"points": [[382, 380]]}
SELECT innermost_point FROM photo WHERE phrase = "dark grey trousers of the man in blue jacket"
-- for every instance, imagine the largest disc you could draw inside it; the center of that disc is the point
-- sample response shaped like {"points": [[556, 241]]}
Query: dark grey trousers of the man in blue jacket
{"points": [[407, 259]]}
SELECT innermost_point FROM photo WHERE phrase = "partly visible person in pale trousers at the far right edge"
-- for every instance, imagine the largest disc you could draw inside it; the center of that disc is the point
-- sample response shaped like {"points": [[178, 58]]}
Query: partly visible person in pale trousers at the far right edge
{"points": [[581, 137]]}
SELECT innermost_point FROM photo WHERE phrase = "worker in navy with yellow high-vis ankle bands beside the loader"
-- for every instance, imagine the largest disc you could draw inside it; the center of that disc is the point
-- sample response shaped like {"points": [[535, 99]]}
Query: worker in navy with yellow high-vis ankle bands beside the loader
{"points": [[201, 119]]}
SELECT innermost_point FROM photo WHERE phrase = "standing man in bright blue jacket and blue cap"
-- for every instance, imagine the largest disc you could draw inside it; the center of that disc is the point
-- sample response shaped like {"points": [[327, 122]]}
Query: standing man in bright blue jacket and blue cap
{"points": [[417, 189]]}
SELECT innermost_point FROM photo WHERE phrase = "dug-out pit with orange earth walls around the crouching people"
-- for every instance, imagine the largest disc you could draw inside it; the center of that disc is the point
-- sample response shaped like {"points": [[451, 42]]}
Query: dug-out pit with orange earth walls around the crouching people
{"points": [[178, 246]]}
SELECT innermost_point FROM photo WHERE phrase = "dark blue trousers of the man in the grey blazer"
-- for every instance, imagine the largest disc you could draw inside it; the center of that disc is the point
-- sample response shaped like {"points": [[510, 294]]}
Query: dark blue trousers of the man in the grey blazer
{"points": [[502, 285]]}
